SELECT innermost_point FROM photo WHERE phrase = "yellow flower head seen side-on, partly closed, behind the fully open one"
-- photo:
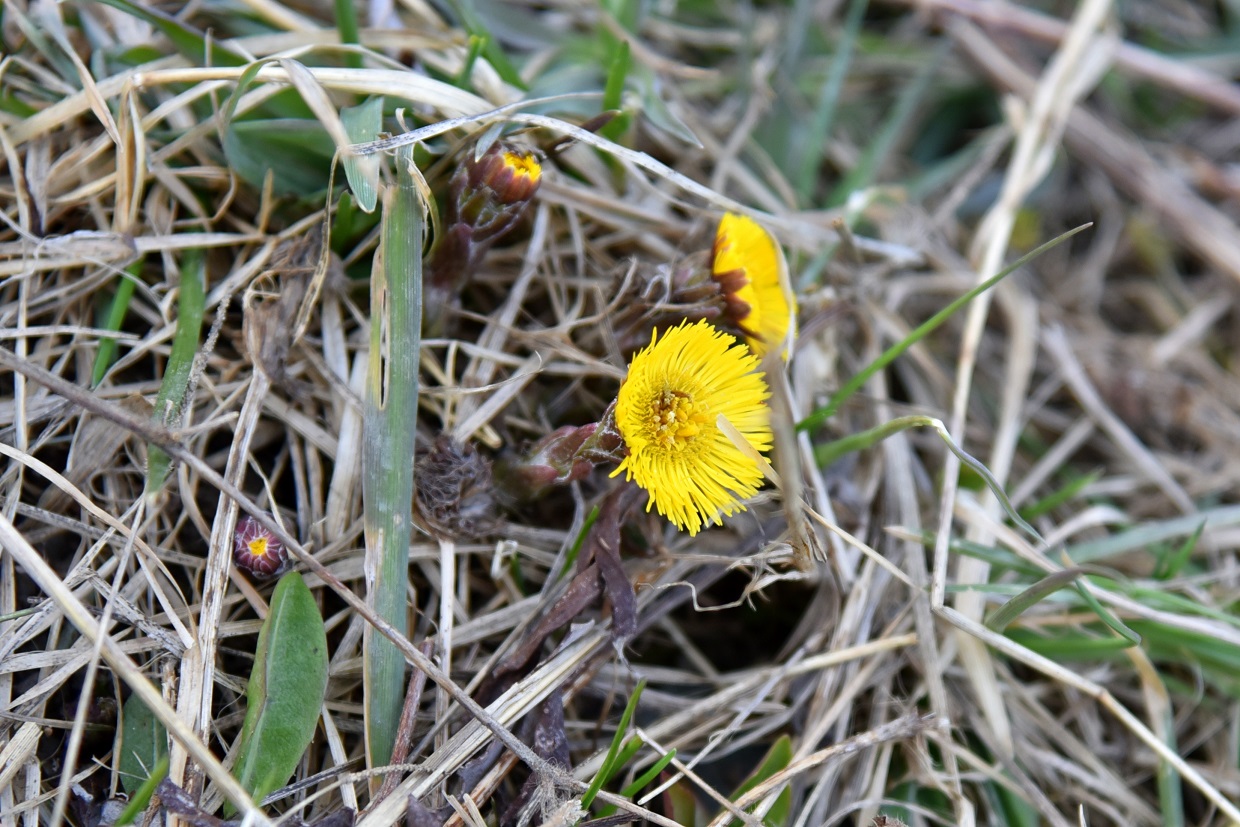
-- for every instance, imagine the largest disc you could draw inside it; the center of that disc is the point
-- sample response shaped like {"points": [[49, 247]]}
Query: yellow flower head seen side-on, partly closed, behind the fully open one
{"points": [[747, 266]]}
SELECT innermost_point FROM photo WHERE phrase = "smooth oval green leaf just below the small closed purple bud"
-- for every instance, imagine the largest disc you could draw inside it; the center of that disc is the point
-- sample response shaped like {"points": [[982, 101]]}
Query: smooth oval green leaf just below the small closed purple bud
{"points": [[286, 690]]}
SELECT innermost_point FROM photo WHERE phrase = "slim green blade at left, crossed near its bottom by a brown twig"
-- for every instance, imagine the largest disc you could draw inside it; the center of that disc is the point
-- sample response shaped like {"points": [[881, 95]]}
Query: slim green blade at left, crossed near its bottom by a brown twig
{"points": [[190, 308]]}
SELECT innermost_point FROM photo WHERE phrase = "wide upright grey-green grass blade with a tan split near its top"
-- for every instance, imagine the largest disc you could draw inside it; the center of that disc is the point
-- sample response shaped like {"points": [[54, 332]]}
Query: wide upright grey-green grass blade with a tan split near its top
{"points": [[390, 425]]}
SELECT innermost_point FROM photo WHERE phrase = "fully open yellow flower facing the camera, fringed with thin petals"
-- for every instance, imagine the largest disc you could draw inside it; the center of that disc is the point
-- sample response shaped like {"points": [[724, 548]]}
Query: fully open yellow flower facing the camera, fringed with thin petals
{"points": [[668, 412]]}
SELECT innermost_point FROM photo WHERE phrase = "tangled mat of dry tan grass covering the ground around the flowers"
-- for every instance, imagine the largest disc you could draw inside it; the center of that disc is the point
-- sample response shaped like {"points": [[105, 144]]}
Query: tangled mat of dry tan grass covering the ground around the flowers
{"points": [[901, 153]]}
